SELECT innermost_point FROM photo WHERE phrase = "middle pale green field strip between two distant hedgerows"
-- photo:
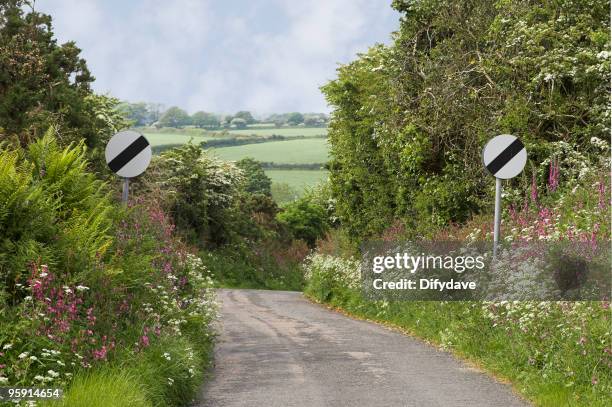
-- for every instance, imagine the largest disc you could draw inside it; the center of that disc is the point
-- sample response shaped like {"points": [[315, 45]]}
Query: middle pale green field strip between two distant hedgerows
{"points": [[303, 151]]}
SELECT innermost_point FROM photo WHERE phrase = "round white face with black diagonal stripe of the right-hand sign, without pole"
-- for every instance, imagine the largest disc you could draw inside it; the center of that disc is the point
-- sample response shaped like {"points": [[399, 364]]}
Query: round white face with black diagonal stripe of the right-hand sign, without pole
{"points": [[504, 156]]}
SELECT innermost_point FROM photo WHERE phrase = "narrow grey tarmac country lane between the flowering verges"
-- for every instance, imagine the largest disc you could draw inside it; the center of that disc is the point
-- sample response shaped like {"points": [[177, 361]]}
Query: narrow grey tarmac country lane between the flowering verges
{"points": [[278, 349]]}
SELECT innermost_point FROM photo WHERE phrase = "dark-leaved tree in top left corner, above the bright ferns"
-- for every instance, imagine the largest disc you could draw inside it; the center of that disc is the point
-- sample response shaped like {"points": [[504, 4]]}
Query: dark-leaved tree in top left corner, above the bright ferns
{"points": [[41, 82]]}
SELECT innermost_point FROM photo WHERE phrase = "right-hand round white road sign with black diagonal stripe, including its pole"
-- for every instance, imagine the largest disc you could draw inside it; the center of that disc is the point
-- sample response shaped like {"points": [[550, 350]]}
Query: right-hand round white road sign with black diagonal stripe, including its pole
{"points": [[504, 157]]}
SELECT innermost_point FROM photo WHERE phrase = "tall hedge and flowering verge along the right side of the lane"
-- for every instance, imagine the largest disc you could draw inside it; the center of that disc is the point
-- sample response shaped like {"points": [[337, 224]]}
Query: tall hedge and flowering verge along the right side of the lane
{"points": [[408, 126]]}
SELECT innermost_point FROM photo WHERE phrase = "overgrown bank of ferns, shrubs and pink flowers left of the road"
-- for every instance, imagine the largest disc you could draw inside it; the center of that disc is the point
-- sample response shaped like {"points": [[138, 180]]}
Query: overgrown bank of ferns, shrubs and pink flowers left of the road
{"points": [[114, 303]]}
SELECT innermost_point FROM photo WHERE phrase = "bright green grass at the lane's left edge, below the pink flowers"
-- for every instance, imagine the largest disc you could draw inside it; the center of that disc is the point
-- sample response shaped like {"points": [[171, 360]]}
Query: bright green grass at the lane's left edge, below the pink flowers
{"points": [[168, 373]]}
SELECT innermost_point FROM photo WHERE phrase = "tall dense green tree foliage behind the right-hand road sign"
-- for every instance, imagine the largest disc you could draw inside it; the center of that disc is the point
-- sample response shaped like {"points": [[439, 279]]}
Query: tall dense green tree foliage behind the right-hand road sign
{"points": [[410, 119]]}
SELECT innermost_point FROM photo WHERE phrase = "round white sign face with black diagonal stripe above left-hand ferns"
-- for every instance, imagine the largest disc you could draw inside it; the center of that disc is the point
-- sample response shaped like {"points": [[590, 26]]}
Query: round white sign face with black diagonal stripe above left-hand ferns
{"points": [[128, 154]]}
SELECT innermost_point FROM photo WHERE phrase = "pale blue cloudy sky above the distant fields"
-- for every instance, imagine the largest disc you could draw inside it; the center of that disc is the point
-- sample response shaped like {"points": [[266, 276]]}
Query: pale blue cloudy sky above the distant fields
{"points": [[266, 56]]}
